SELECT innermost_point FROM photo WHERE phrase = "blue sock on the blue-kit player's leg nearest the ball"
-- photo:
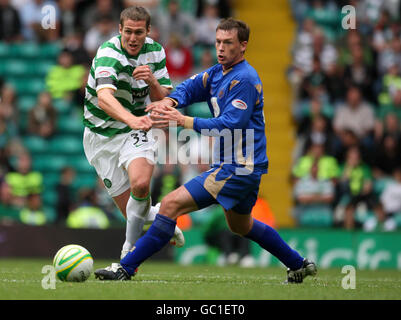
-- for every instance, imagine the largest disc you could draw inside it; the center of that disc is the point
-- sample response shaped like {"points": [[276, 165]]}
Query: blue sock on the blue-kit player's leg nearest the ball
{"points": [[158, 235]]}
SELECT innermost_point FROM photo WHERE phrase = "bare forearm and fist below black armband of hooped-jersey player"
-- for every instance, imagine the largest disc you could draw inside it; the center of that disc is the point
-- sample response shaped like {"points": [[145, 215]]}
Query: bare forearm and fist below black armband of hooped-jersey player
{"points": [[109, 104]]}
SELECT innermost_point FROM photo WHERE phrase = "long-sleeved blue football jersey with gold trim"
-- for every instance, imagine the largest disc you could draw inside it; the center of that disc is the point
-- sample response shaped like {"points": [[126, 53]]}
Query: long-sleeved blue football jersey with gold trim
{"points": [[235, 98]]}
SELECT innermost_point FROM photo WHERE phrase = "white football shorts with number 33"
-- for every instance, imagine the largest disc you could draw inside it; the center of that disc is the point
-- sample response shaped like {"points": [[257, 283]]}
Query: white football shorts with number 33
{"points": [[111, 156]]}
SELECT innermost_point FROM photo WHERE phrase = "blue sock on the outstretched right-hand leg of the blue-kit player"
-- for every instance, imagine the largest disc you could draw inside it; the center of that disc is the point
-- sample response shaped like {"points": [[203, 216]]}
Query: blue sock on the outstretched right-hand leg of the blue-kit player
{"points": [[271, 241]]}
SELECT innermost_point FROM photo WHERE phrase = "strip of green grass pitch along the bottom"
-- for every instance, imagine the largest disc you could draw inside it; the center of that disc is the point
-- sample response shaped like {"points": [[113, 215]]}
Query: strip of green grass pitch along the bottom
{"points": [[20, 279]]}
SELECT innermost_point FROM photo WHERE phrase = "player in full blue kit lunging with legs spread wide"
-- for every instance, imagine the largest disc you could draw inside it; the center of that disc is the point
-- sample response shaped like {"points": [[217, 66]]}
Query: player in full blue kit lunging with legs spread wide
{"points": [[233, 91]]}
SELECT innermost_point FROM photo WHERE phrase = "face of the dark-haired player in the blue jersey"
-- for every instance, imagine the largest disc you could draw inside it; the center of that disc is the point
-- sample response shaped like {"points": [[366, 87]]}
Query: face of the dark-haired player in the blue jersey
{"points": [[229, 49]]}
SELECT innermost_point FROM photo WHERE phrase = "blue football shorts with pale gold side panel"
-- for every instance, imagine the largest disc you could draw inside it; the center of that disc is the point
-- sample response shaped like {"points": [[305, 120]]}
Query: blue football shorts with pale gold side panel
{"points": [[221, 185]]}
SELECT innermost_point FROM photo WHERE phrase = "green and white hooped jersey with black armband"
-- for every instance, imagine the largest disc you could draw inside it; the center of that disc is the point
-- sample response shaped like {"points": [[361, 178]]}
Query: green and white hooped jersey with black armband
{"points": [[112, 67]]}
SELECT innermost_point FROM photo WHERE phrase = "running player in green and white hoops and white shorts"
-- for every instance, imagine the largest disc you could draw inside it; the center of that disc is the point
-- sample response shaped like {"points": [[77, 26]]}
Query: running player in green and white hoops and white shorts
{"points": [[127, 73]]}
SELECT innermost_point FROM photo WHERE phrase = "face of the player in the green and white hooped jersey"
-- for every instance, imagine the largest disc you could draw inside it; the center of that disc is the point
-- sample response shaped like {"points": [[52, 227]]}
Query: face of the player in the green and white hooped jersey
{"points": [[133, 35]]}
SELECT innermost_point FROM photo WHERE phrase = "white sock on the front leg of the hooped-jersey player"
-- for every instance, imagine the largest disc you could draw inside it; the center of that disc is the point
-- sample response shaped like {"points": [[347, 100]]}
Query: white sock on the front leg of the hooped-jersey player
{"points": [[137, 211]]}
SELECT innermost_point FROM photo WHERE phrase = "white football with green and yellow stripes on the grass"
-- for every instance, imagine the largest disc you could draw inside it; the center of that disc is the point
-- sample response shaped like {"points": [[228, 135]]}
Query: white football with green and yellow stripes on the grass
{"points": [[73, 263]]}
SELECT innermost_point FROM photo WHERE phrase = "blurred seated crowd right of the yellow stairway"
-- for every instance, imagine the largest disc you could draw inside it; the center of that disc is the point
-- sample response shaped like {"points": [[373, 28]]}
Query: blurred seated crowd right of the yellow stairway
{"points": [[346, 86]]}
